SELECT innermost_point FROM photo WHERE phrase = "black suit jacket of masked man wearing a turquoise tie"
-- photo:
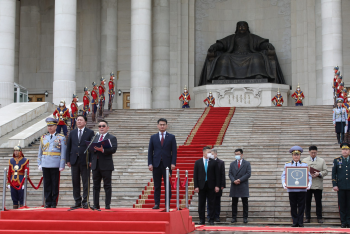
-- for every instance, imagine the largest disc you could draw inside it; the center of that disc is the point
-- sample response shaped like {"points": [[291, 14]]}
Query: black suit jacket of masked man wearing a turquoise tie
{"points": [[213, 174]]}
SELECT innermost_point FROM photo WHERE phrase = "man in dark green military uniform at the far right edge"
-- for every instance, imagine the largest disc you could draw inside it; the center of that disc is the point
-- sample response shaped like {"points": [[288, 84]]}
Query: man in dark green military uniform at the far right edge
{"points": [[341, 183]]}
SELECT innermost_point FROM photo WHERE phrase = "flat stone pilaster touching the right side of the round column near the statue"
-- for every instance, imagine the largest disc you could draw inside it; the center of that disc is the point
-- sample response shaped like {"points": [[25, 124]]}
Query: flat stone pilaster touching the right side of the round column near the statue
{"points": [[161, 54]]}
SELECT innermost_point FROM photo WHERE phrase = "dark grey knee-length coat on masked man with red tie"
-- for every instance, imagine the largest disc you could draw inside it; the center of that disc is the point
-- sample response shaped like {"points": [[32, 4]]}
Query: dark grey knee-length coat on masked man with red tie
{"points": [[243, 173]]}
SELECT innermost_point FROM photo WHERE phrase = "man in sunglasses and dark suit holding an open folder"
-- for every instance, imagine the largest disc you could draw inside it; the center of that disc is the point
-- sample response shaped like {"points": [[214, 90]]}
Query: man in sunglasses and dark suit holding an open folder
{"points": [[102, 165]]}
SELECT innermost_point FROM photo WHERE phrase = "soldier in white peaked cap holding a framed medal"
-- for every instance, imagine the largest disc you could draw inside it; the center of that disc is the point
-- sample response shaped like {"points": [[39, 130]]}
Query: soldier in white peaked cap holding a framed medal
{"points": [[296, 196]]}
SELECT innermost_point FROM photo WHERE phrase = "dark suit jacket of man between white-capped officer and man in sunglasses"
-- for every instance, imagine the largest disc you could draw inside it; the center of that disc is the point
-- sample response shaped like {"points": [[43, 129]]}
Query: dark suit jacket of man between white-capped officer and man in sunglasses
{"points": [[76, 148]]}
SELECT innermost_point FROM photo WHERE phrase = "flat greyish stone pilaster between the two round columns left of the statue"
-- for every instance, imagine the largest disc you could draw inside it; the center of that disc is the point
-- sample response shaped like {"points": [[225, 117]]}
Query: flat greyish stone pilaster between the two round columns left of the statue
{"points": [[109, 40]]}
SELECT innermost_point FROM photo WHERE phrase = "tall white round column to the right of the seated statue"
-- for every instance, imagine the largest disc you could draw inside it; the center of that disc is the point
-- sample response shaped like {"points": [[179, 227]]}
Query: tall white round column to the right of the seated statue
{"points": [[332, 45]]}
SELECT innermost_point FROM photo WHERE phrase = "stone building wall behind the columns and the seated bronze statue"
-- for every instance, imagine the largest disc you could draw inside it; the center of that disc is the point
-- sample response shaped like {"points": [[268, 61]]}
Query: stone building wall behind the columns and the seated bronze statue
{"points": [[297, 28]]}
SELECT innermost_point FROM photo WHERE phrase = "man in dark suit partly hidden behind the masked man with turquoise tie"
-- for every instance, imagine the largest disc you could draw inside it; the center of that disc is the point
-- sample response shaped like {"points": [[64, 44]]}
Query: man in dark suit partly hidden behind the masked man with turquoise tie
{"points": [[217, 202]]}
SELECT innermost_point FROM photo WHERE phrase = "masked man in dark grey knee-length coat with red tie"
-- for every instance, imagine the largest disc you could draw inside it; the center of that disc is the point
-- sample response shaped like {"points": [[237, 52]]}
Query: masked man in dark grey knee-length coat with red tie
{"points": [[239, 174]]}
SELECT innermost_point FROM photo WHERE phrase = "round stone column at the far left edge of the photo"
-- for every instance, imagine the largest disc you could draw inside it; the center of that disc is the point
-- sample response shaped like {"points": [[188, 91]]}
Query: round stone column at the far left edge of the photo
{"points": [[7, 50]]}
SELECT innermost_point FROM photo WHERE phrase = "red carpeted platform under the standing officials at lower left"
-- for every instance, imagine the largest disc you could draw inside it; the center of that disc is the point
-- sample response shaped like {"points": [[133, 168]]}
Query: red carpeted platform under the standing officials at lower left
{"points": [[59, 220]]}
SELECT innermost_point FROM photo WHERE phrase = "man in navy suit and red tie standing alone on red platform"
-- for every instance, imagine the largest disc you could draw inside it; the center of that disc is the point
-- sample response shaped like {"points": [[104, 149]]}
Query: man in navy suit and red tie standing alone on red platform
{"points": [[162, 152]]}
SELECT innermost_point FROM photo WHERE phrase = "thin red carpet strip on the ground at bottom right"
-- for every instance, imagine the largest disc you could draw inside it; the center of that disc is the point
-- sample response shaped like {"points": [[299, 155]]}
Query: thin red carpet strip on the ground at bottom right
{"points": [[272, 229]]}
